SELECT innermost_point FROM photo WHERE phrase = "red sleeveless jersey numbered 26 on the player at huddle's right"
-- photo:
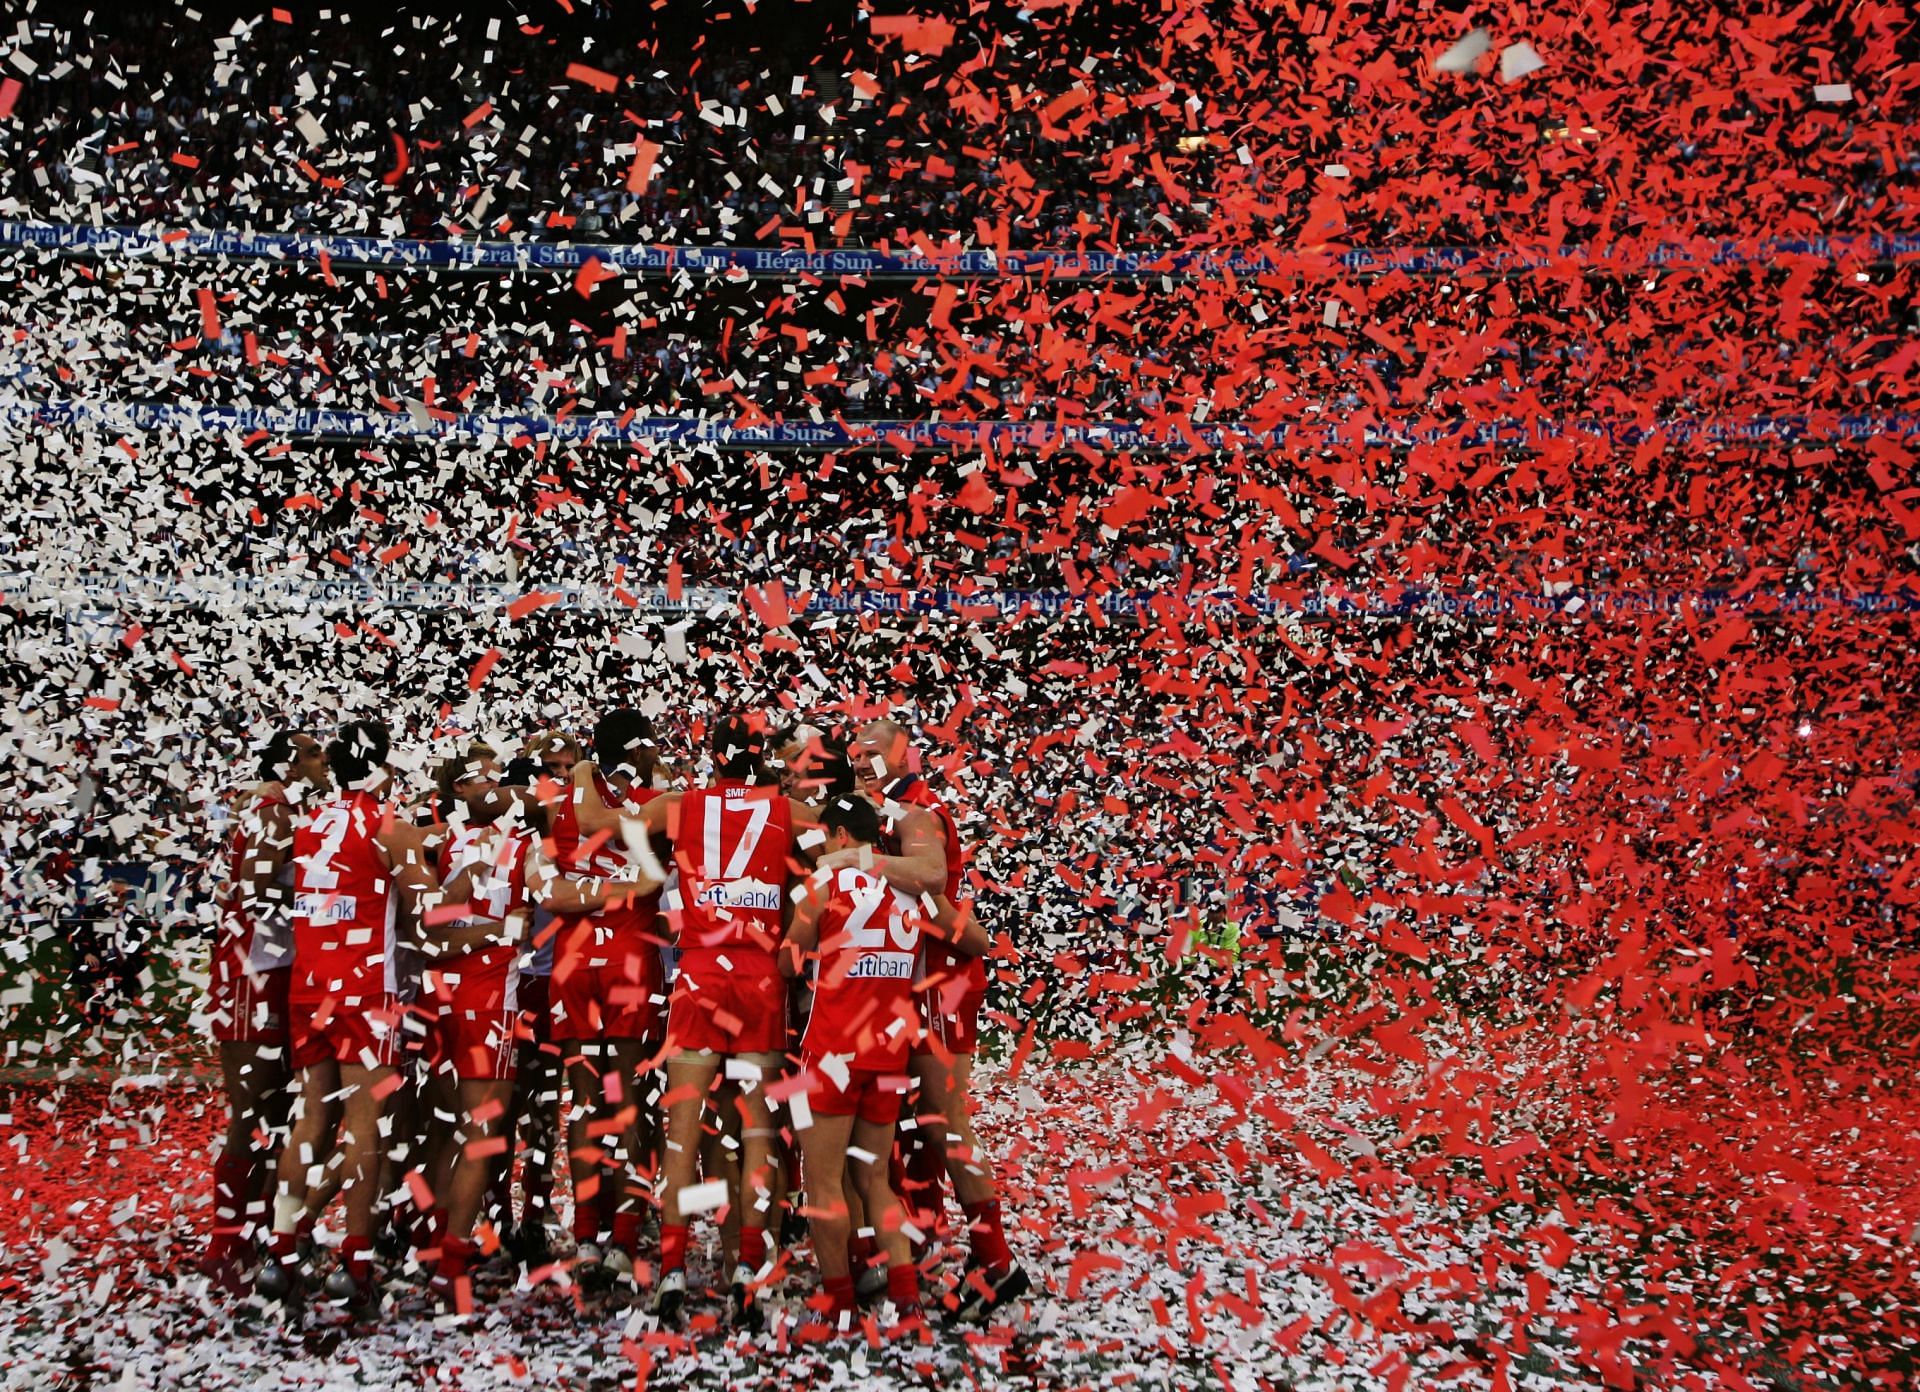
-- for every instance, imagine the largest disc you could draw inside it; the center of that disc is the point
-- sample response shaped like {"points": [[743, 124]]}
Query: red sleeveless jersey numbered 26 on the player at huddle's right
{"points": [[865, 986]]}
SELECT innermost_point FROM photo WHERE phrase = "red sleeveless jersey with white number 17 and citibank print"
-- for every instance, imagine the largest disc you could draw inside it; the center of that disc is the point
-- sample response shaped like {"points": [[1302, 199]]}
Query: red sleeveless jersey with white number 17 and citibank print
{"points": [[732, 852]]}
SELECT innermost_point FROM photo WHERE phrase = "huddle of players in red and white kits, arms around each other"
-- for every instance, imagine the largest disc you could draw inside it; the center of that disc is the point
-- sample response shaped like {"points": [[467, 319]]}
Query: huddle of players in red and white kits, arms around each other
{"points": [[763, 996]]}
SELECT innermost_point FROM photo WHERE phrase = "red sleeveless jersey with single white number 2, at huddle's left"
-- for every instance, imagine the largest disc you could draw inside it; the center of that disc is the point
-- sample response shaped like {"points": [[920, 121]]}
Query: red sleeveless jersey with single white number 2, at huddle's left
{"points": [[345, 903]]}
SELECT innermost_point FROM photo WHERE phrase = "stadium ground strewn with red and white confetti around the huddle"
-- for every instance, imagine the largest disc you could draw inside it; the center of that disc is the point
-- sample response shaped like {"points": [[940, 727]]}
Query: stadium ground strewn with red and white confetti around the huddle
{"points": [[1203, 1216]]}
